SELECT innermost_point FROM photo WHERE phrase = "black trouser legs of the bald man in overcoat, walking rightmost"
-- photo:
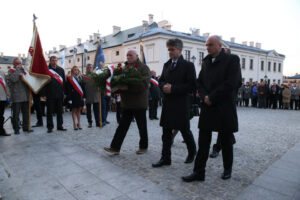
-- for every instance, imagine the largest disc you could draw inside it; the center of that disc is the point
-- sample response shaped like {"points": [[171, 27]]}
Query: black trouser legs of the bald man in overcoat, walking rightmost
{"points": [[203, 151]]}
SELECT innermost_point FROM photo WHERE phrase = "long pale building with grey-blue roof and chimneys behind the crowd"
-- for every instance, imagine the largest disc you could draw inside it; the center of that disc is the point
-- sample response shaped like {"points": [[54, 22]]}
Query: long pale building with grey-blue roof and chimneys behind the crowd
{"points": [[256, 64]]}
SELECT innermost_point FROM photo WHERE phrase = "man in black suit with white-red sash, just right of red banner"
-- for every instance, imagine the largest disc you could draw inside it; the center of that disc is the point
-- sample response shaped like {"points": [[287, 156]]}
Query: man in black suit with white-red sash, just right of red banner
{"points": [[54, 92]]}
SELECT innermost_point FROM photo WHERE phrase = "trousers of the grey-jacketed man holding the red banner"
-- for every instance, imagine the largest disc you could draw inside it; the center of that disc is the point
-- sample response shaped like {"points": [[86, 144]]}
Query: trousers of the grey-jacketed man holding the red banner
{"points": [[16, 108]]}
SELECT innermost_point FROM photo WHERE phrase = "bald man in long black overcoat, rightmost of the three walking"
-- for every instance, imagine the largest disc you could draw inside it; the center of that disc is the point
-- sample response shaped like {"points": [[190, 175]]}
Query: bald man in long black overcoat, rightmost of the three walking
{"points": [[218, 81]]}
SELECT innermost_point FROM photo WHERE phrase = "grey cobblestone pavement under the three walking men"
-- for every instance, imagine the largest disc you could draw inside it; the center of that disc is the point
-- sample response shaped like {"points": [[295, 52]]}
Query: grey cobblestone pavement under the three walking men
{"points": [[264, 136]]}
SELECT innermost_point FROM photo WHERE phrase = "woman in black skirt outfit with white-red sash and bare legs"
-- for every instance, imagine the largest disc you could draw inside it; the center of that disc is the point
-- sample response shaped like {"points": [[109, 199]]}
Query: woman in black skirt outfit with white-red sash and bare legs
{"points": [[75, 95]]}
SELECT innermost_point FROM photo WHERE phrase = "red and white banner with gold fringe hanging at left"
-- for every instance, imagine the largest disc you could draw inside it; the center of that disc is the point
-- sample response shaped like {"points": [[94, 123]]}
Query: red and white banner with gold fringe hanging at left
{"points": [[36, 74]]}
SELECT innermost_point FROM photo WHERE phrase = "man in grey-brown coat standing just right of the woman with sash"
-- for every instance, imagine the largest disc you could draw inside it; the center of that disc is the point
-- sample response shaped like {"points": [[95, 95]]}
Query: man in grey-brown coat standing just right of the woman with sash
{"points": [[92, 97]]}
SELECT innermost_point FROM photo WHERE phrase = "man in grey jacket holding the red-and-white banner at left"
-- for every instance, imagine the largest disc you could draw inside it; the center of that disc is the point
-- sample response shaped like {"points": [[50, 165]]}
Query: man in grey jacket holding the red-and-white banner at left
{"points": [[19, 93]]}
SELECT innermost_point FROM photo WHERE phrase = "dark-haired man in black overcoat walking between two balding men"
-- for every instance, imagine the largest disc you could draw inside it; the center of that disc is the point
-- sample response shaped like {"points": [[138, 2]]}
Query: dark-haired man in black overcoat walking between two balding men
{"points": [[177, 81]]}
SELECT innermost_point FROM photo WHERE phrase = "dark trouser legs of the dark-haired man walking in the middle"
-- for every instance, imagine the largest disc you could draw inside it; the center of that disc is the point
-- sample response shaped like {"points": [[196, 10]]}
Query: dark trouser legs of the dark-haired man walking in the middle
{"points": [[167, 142]]}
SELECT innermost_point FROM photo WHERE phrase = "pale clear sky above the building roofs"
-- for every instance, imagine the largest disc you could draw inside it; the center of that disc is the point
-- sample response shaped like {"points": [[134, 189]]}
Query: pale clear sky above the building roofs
{"points": [[274, 23]]}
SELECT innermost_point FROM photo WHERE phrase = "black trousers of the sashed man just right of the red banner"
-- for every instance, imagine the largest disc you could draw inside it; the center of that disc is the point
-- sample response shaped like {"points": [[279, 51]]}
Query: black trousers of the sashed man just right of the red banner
{"points": [[54, 106]]}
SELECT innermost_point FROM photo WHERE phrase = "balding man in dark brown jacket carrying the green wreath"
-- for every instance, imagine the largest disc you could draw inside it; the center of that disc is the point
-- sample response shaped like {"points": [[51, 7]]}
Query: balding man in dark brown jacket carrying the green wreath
{"points": [[134, 103]]}
